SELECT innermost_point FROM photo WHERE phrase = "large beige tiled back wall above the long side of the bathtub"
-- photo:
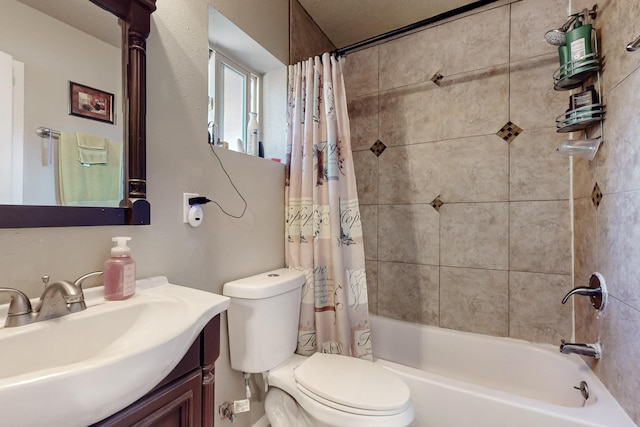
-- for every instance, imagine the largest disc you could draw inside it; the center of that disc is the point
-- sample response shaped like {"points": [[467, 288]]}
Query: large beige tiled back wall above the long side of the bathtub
{"points": [[465, 203]]}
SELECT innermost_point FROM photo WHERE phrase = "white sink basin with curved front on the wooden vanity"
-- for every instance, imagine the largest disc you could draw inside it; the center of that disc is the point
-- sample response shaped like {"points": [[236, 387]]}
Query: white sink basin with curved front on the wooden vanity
{"points": [[79, 369]]}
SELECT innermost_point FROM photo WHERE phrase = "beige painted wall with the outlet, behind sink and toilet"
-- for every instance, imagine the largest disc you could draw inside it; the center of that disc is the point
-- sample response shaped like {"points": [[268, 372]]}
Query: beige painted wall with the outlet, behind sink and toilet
{"points": [[178, 160]]}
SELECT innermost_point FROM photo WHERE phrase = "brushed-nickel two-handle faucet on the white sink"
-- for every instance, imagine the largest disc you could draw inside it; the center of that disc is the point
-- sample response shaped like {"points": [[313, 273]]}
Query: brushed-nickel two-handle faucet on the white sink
{"points": [[58, 299]]}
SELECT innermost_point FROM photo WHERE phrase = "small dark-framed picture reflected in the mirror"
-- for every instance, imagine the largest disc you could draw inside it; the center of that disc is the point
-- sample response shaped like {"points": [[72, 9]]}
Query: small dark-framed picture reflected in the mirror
{"points": [[90, 103]]}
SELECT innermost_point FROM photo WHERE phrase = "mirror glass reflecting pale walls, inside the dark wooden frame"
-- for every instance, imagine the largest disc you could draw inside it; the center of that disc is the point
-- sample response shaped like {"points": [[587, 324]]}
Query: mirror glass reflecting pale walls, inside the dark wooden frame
{"points": [[53, 54]]}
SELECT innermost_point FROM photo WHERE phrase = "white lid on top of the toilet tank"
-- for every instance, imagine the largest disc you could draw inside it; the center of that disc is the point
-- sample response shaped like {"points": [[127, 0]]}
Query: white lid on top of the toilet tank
{"points": [[265, 285]]}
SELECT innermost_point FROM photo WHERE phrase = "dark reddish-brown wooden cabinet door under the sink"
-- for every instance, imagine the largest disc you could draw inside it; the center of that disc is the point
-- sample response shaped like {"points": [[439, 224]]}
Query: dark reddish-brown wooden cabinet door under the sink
{"points": [[176, 405]]}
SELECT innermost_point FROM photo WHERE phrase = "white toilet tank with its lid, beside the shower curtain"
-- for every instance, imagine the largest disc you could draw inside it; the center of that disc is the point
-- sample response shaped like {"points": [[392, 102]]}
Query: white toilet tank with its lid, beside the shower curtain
{"points": [[262, 319]]}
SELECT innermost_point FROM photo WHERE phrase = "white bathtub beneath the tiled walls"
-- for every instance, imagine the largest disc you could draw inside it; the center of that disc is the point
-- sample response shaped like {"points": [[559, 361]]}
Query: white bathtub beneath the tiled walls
{"points": [[461, 379]]}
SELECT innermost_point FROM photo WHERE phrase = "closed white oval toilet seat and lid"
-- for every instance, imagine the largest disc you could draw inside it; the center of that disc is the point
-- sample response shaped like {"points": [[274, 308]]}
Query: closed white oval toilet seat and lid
{"points": [[352, 385]]}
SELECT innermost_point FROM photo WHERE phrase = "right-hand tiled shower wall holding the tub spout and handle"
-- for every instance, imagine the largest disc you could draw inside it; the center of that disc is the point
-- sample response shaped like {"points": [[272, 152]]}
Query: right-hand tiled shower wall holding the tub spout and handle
{"points": [[607, 238]]}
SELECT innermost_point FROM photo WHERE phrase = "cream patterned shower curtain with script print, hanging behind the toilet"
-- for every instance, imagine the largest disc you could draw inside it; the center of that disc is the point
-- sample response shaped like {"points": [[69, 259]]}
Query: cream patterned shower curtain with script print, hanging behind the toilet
{"points": [[323, 229]]}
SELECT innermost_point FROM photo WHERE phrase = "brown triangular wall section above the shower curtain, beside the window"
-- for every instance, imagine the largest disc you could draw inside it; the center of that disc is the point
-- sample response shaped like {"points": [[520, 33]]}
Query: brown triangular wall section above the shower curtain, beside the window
{"points": [[306, 39]]}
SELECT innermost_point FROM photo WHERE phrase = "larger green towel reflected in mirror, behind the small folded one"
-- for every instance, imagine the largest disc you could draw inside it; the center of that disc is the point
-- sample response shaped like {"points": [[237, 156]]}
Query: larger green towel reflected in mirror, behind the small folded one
{"points": [[86, 184]]}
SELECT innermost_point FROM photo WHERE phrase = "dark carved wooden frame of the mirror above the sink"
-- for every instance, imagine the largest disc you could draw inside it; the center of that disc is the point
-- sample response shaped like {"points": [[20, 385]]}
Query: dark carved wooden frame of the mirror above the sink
{"points": [[137, 17]]}
